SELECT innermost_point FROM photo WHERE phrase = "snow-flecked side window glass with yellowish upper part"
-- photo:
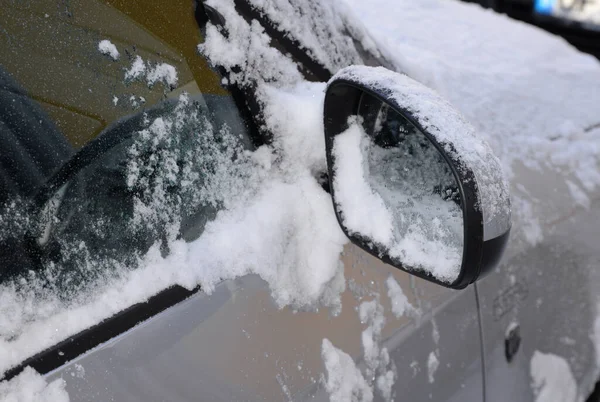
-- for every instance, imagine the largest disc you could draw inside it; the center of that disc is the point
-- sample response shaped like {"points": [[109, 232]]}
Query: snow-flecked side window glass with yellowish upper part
{"points": [[76, 76]]}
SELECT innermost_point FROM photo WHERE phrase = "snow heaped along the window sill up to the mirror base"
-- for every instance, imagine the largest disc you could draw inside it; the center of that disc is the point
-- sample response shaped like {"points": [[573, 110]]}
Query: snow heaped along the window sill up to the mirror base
{"points": [[297, 252]]}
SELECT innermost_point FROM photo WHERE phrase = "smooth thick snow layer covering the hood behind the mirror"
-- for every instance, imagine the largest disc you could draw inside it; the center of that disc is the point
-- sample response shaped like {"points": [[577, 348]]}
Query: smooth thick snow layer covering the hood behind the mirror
{"points": [[533, 100]]}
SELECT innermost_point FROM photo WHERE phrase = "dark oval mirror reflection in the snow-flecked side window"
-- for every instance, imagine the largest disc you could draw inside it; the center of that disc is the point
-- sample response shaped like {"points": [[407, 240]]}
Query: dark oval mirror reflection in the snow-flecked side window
{"points": [[161, 183]]}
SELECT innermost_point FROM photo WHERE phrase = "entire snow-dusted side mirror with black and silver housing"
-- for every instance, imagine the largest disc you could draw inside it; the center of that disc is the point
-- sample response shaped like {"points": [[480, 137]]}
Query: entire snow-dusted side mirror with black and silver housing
{"points": [[412, 183]]}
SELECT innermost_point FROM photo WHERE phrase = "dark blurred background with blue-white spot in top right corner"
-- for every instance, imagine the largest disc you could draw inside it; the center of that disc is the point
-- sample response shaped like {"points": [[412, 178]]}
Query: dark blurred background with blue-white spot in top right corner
{"points": [[578, 21]]}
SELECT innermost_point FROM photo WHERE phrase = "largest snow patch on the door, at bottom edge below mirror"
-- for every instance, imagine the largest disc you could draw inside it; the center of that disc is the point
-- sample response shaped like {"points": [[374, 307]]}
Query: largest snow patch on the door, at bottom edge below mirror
{"points": [[344, 381]]}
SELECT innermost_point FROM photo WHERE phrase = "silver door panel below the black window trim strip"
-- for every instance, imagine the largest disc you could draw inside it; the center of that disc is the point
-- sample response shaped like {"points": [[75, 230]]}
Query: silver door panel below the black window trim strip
{"points": [[235, 344]]}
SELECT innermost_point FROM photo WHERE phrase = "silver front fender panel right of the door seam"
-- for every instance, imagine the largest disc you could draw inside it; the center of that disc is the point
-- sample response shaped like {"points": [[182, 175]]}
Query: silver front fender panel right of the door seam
{"points": [[539, 309]]}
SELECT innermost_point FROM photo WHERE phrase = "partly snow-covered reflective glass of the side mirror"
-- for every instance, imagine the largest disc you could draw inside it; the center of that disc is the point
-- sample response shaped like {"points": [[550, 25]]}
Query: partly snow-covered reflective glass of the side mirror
{"points": [[397, 193]]}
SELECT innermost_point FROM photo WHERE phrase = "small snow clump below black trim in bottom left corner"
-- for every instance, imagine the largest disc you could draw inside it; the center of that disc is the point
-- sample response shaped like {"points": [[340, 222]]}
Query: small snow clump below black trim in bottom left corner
{"points": [[29, 386]]}
